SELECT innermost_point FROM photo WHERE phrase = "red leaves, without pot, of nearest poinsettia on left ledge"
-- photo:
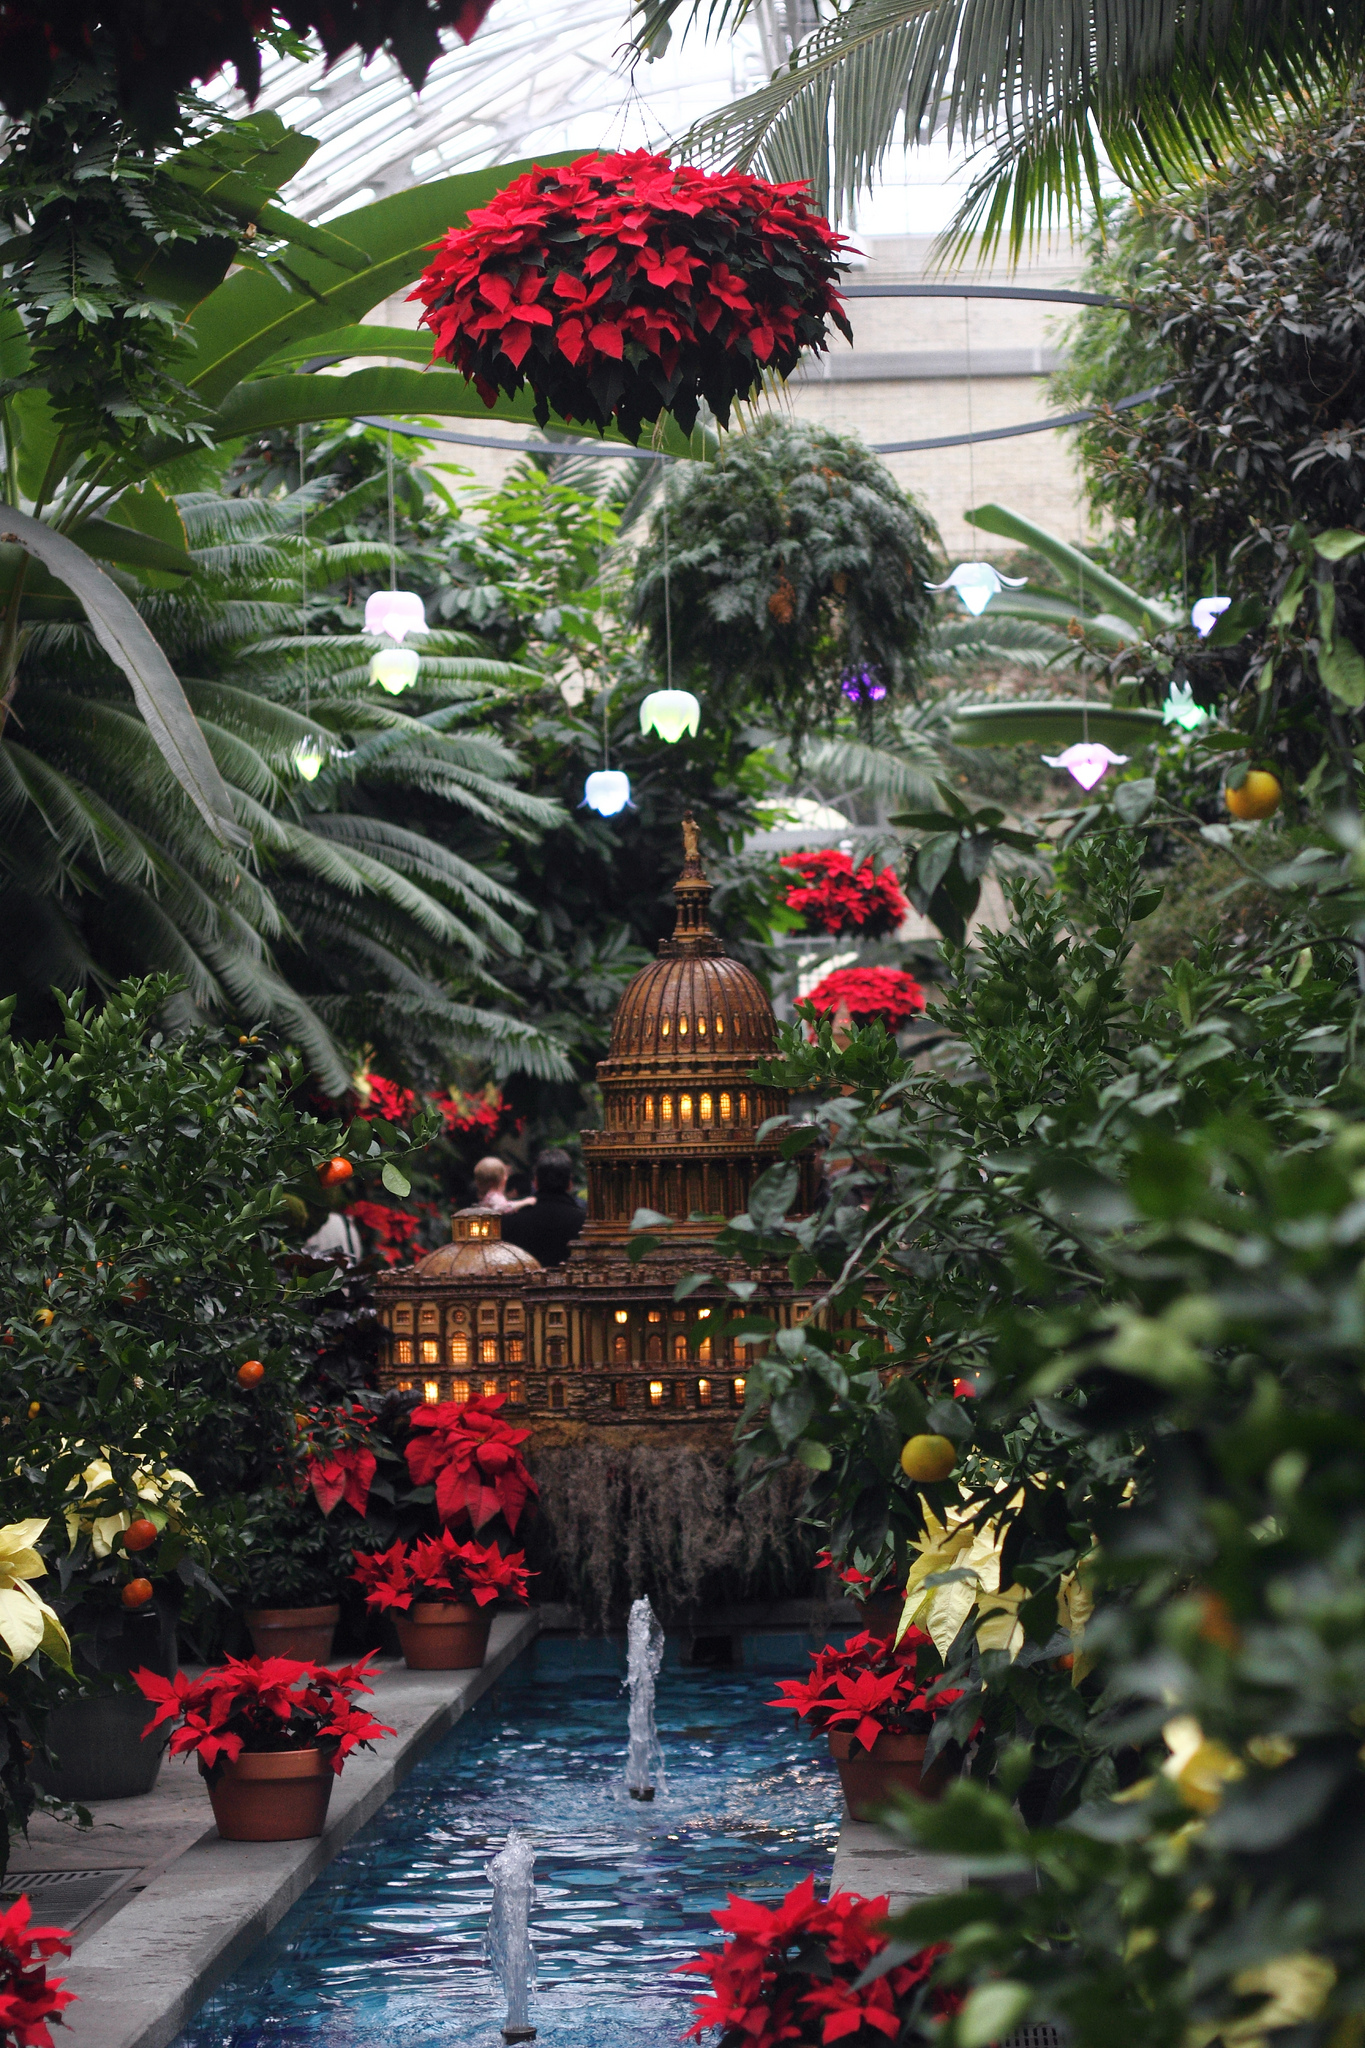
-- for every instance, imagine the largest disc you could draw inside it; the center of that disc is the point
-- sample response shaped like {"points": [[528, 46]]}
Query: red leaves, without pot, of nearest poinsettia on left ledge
{"points": [[263, 1705]]}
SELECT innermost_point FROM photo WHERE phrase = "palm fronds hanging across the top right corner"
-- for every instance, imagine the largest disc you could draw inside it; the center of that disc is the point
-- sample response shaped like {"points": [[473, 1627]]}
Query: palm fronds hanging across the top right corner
{"points": [[1153, 89]]}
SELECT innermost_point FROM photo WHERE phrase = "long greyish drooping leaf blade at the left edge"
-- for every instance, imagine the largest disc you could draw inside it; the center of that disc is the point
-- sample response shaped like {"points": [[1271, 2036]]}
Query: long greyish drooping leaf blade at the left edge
{"points": [[157, 687]]}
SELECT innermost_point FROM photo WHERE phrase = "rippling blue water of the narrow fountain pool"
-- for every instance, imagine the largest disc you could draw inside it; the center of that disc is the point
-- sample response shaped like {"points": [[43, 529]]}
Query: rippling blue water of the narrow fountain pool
{"points": [[386, 1949]]}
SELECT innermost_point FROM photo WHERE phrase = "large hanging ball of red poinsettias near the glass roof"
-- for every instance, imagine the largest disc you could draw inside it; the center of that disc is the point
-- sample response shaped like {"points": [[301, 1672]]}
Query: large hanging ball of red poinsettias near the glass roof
{"points": [[621, 288]]}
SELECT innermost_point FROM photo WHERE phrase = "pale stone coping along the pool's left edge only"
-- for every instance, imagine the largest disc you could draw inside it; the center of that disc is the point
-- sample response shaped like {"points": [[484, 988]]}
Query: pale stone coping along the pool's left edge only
{"points": [[144, 1975]]}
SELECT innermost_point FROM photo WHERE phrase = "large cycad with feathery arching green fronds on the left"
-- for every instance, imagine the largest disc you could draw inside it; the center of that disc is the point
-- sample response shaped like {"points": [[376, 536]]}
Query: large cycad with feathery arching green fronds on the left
{"points": [[347, 921]]}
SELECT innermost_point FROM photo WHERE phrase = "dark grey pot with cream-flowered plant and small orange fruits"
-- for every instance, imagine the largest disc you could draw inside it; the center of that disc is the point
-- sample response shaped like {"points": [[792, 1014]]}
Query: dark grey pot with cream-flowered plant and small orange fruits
{"points": [[132, 1553]]}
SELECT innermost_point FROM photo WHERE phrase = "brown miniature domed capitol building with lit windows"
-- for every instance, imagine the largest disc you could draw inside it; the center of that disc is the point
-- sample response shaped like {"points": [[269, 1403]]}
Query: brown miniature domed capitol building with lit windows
{"points": [[601, 1345]]}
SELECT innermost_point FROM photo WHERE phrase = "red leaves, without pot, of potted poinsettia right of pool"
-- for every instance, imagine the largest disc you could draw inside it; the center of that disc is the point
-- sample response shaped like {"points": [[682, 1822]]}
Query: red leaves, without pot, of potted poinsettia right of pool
{"points": [[873, 1687]]}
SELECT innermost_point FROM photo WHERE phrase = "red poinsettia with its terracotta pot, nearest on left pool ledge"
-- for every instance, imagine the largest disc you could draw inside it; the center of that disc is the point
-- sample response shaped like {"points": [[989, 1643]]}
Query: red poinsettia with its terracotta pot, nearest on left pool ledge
{"points": [[271, 1736]]}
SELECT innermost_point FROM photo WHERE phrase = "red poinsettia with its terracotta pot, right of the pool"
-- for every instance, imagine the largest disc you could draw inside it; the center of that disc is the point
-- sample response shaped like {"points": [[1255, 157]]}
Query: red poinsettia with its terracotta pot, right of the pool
{"points": [[877, 1707]]}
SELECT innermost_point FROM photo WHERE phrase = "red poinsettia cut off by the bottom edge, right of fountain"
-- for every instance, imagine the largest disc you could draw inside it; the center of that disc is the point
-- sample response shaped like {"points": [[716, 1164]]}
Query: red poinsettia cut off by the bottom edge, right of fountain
{"points": [[789, 1975]]}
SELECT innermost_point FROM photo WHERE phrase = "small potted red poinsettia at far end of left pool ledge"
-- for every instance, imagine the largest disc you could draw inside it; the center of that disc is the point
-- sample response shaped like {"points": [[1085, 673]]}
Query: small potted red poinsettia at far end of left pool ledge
{"points": [[441, 1594]]}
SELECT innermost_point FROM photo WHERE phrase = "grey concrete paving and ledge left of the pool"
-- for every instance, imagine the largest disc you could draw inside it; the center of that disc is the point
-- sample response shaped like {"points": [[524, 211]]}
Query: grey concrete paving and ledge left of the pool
{"points": [[183, 1906]]}
